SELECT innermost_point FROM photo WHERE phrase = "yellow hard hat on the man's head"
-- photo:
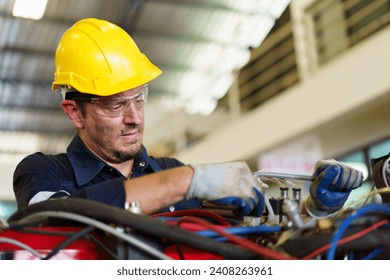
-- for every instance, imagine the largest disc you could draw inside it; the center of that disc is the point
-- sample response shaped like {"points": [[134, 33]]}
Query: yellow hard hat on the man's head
{"points": [[98, 57]]}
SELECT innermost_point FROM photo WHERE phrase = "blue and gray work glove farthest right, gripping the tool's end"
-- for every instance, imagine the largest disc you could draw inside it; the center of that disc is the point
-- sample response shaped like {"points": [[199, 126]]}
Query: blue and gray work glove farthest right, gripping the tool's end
{"points": [[331, 187]]}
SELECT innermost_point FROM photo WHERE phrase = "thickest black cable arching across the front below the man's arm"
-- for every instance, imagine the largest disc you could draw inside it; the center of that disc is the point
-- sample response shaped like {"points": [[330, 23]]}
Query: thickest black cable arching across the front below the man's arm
{"points": [[142, 223]]}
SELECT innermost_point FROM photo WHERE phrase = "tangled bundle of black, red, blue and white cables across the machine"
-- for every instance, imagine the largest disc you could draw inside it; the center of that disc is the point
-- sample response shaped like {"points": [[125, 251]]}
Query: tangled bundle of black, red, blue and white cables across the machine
{"points": [[204, 231]]}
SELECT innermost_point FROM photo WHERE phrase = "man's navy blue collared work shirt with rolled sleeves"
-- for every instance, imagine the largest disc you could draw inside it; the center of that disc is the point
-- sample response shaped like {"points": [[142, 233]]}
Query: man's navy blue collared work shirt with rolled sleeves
{"points": [[80, 173]]}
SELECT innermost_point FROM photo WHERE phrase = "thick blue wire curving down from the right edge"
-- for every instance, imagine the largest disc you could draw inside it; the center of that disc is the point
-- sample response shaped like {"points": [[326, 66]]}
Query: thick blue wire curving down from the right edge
{"points": [[345, 224]]}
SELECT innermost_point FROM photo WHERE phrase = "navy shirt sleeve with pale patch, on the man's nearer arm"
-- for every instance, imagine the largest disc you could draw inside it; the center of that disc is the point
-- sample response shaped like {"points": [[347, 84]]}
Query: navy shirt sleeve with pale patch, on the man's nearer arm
{"points": [[39, 177]]}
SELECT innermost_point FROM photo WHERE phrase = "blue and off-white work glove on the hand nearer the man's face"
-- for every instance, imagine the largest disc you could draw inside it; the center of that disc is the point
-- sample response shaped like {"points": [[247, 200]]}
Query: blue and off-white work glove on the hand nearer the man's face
{"points": [[230, 183]]}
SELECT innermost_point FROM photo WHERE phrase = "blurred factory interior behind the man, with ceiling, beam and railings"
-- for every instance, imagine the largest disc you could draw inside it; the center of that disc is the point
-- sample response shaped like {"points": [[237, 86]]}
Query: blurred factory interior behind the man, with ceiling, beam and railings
{"points": [[277, 83]]}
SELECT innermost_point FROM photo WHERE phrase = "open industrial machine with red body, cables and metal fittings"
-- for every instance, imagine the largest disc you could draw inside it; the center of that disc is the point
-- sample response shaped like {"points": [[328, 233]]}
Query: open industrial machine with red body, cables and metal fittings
{"points": [[81, 229]]}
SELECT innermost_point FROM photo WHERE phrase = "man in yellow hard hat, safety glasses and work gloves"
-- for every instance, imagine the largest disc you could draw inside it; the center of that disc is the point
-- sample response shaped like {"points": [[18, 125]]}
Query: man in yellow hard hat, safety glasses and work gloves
{"points": [[103, 78]]}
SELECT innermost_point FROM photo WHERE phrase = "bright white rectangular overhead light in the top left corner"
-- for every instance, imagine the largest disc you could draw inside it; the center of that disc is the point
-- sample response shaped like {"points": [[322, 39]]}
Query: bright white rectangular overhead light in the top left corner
{"points": [[33, 9]]}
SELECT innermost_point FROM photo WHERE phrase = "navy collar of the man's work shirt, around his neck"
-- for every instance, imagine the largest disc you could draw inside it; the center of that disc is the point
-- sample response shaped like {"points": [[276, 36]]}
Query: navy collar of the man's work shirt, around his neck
{"points": [[87, 165]]}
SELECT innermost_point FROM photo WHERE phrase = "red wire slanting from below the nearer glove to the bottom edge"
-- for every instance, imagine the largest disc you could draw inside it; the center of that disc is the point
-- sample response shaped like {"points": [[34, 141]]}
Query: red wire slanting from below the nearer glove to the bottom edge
{"points": [[264, 251]]}
